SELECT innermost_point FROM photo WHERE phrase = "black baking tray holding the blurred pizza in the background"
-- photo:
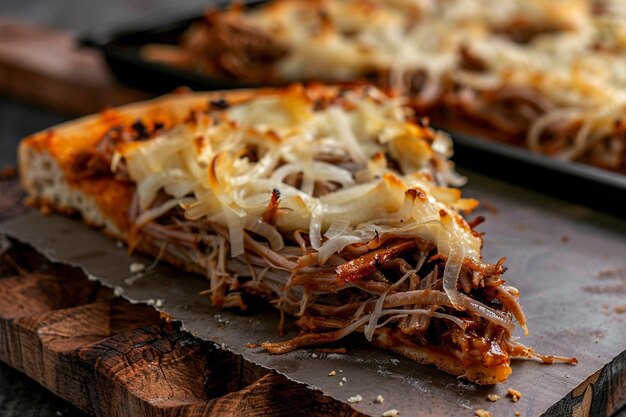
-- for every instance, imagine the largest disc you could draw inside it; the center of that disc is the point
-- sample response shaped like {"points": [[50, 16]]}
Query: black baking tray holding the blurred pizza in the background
{"points": [[576, 182]]}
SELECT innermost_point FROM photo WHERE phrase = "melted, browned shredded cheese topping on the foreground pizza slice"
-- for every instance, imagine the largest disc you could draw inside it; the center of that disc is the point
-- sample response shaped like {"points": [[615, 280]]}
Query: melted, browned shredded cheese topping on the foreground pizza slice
{"points": [[331, 168]]}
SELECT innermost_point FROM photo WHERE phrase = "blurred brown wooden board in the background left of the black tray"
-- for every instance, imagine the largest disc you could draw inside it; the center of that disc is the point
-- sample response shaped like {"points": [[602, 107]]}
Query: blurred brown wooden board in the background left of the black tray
{"points": [[46, 67]]}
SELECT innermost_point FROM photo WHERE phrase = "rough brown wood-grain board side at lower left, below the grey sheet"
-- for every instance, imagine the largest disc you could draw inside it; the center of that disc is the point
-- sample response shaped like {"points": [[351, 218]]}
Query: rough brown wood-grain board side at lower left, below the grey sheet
{"points": [[112, 358]]}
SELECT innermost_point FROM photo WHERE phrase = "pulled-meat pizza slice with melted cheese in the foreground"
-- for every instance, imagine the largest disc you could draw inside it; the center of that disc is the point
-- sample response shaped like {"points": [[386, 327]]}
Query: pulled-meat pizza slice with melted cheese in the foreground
{"points": [[332, 204]]}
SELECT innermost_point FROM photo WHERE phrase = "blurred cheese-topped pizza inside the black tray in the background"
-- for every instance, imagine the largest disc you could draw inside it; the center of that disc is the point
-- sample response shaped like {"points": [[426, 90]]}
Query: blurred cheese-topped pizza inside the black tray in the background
{"points": [[546, 74]]}
